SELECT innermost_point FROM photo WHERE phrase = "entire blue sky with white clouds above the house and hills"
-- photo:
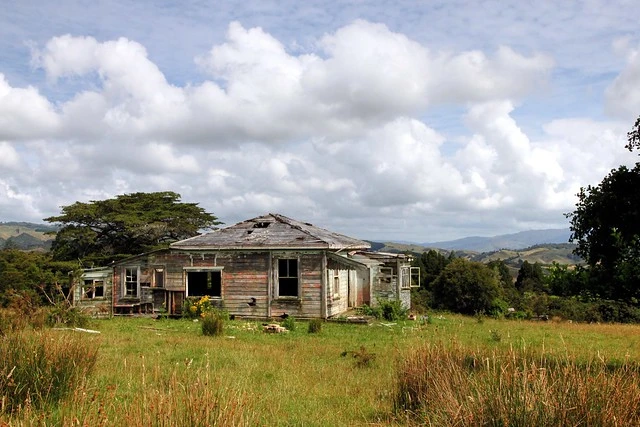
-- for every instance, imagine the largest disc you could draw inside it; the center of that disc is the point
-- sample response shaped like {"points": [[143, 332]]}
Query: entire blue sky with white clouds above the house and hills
{"points": [[403, 120]]}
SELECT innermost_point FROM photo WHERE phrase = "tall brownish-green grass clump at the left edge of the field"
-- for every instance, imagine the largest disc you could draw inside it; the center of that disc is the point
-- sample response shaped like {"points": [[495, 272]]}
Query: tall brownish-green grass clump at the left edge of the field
{"points": [[40, 367]]}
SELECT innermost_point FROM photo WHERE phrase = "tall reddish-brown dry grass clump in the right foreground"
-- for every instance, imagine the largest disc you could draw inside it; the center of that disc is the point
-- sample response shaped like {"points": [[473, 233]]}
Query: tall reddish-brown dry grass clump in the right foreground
{"points": [[447, 385]]}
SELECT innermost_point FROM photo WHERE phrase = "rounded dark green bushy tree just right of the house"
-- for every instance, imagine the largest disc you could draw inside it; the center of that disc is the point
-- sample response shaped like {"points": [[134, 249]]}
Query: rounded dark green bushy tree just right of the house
{"points": [[467, 287]]}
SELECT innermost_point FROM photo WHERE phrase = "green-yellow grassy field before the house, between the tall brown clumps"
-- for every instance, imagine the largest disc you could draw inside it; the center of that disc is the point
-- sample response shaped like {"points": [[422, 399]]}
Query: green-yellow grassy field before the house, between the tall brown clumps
{"points": [[163, 372]]}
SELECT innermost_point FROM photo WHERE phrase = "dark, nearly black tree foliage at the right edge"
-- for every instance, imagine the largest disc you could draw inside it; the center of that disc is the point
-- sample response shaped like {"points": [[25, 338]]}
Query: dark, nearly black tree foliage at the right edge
{"points": [[606, 228]]}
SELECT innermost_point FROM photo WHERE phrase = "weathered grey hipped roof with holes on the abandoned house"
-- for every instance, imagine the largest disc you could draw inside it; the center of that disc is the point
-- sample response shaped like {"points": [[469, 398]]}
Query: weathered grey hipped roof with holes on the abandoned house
{"points": [[271, 231]]}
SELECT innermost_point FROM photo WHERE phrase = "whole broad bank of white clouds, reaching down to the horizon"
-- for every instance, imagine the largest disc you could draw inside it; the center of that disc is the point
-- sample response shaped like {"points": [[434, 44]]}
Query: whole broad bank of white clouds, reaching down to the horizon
{"points": [[339, 135]]}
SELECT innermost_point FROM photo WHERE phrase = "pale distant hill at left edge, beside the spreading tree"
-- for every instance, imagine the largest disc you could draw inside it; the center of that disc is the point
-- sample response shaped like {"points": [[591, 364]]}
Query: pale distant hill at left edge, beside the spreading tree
{"points": [[26, 235]]}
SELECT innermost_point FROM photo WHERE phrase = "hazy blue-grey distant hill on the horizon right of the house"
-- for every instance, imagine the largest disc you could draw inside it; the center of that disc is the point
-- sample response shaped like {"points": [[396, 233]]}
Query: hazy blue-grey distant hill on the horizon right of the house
{"points": [[523, 239]]}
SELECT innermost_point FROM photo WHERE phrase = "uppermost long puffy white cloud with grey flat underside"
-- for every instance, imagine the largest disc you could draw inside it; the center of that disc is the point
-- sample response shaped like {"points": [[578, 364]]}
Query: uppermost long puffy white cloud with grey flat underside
{"points": [[360, 74]]}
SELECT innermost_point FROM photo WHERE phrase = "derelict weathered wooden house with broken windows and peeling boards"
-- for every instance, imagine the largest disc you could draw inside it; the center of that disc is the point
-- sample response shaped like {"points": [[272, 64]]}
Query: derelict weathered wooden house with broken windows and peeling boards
{"points": [[262, 267]]}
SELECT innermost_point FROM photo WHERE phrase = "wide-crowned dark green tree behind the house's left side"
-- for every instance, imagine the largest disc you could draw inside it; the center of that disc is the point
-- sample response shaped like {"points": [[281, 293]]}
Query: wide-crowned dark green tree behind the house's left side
{"points": [[104, 230]]}
